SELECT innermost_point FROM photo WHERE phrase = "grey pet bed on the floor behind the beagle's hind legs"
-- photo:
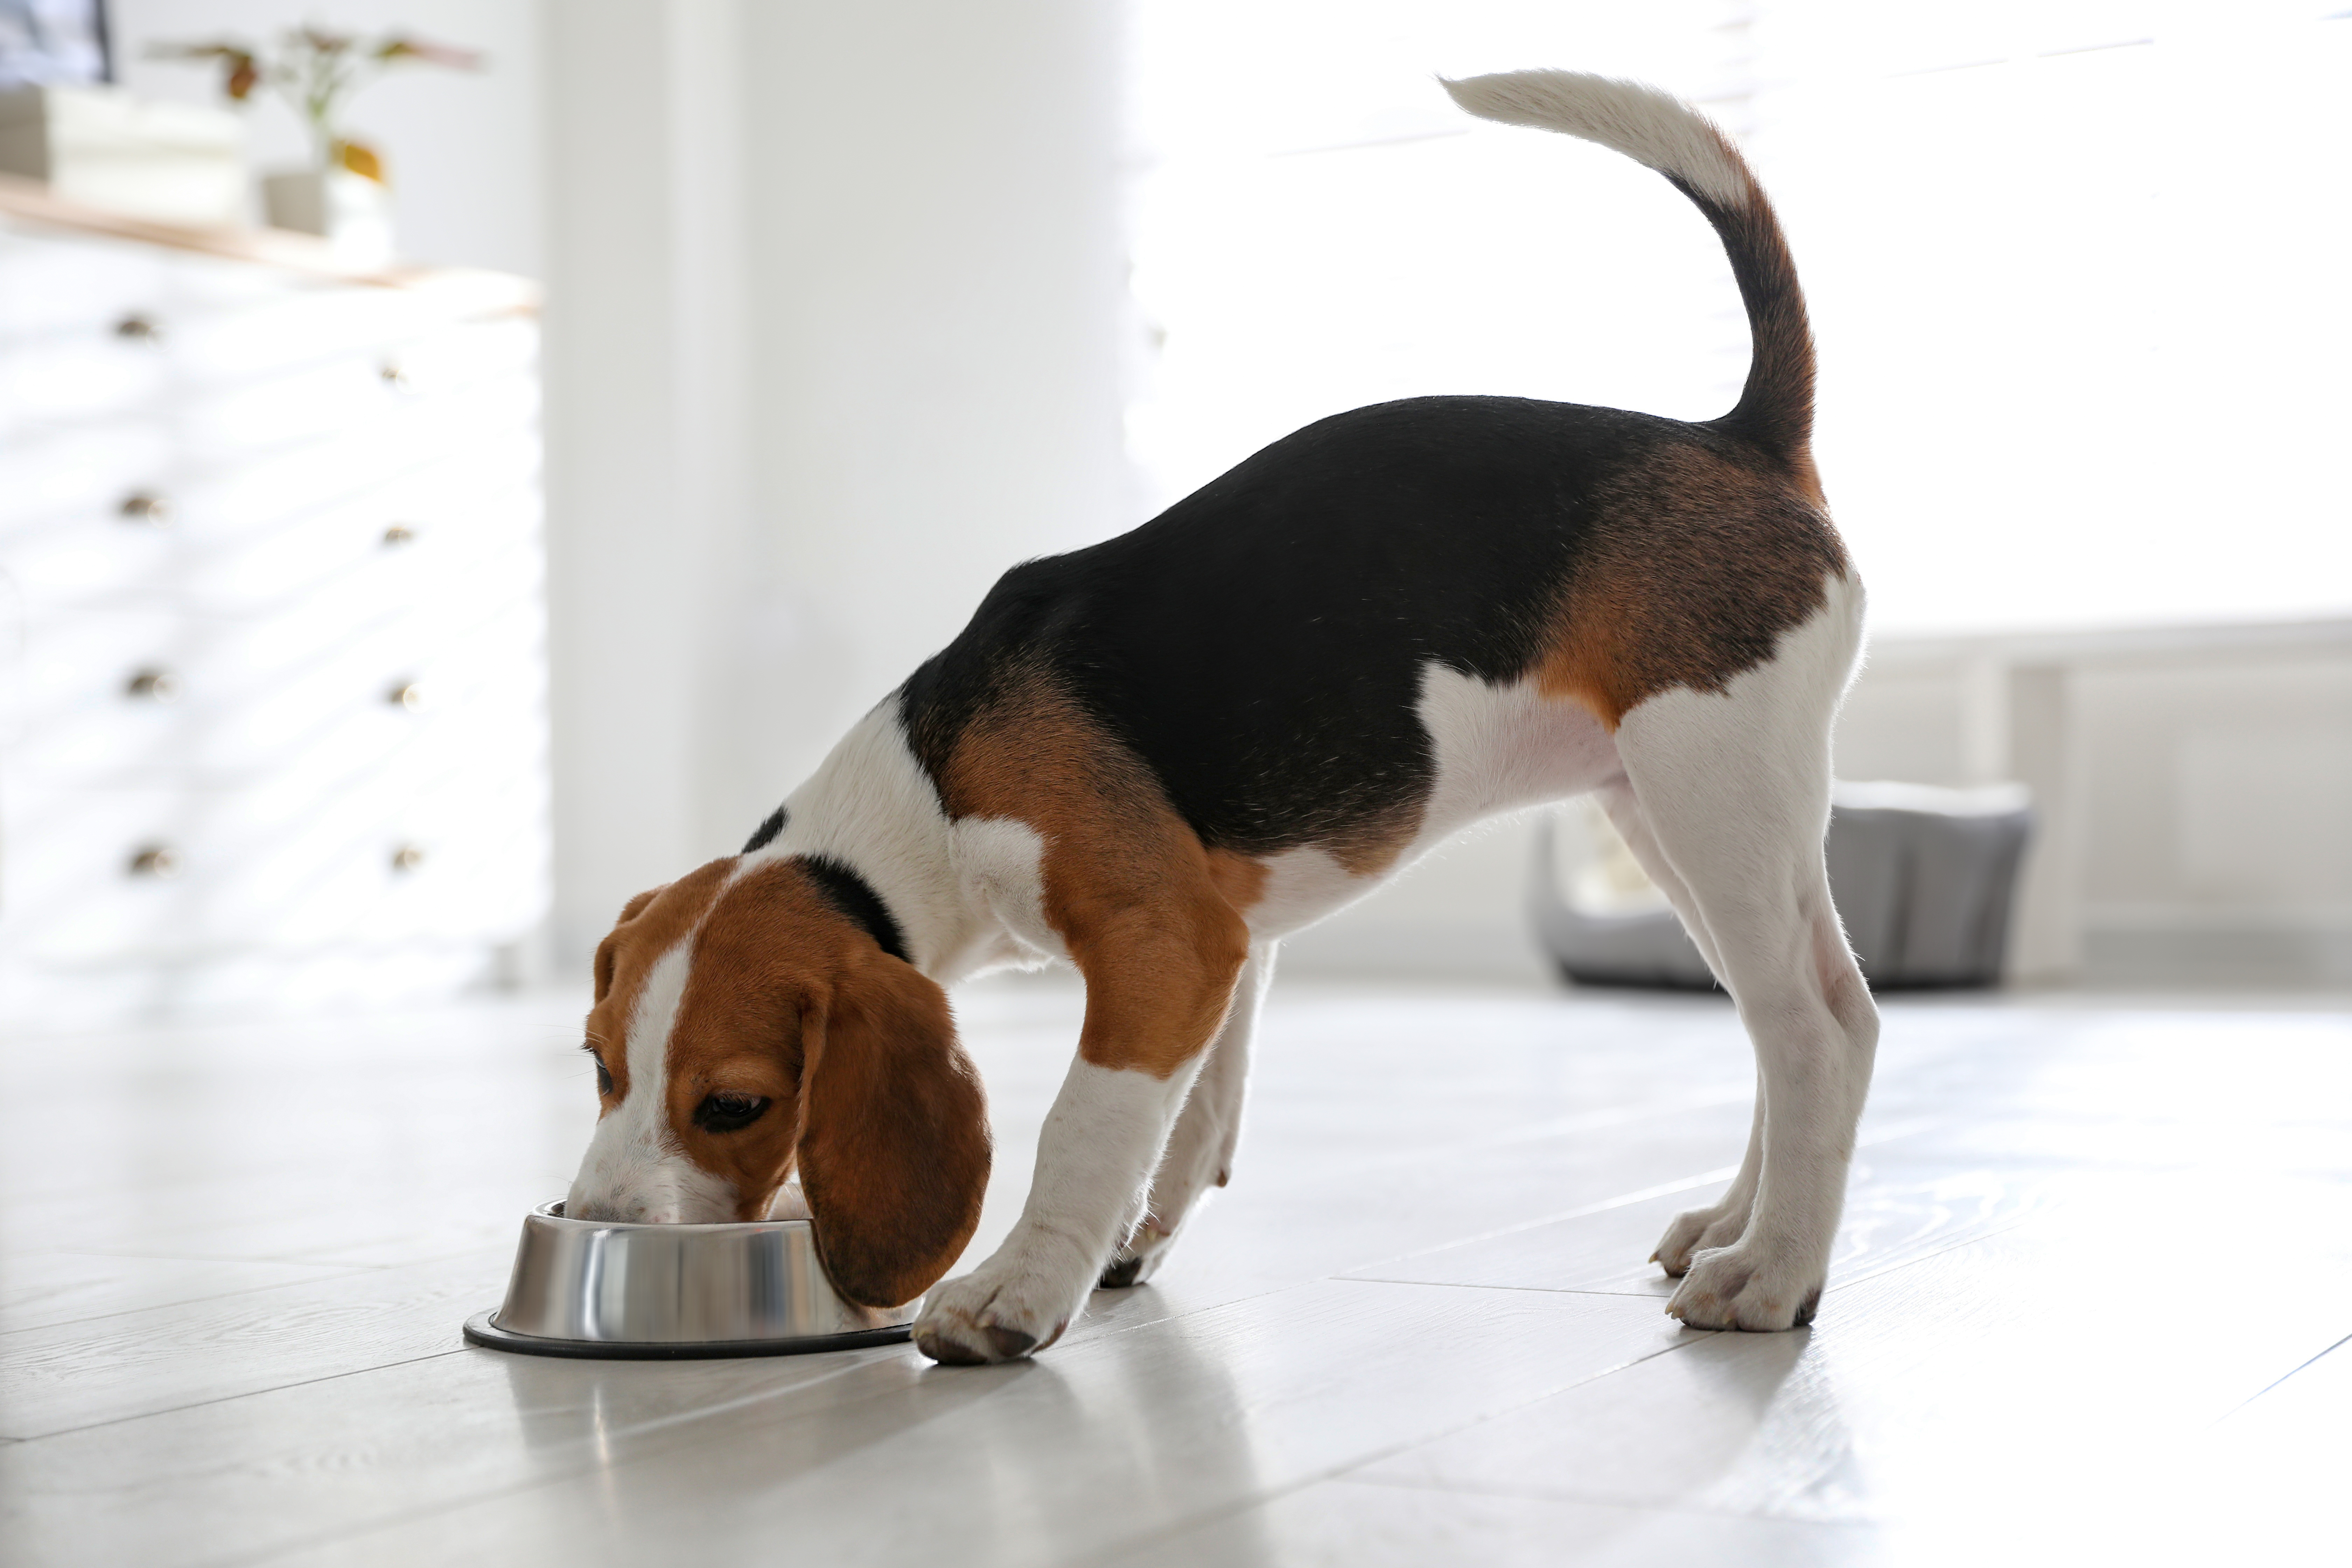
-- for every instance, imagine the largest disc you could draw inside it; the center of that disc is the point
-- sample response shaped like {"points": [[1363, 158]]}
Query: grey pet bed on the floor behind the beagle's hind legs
{"points": [[1923, 878]]}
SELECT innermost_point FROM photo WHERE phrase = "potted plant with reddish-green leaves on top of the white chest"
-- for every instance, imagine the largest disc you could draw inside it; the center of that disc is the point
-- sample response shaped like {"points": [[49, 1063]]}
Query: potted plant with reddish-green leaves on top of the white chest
{"points": [[342, 194]]}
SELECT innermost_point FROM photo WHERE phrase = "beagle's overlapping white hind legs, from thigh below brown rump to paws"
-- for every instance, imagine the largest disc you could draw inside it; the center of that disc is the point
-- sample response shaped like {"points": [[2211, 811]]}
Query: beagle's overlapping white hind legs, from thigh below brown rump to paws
{"points": [[1735, 791]]}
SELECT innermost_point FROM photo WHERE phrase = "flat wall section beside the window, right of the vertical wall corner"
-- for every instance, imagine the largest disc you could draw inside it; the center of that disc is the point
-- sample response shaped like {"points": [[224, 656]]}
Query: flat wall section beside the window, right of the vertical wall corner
{"points": [[940, 335]]}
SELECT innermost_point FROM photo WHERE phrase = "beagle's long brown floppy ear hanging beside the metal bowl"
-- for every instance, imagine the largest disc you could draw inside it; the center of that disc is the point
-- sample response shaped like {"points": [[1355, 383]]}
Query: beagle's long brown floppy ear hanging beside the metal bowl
{"points": [[893, 1134]]}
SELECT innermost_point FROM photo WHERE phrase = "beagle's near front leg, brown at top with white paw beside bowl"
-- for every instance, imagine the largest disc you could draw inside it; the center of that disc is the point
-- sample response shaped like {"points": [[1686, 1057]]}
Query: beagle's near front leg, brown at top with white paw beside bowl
{"points": [[1158, 991]]}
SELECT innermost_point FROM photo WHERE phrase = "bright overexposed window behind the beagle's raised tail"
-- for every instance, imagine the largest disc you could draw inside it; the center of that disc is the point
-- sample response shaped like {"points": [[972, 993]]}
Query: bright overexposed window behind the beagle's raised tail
{"points": [[2076, 269]]}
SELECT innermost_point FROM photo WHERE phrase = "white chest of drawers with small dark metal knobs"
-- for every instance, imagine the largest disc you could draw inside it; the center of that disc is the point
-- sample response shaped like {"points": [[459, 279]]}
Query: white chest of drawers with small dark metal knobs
{"points": [[272, 634]]}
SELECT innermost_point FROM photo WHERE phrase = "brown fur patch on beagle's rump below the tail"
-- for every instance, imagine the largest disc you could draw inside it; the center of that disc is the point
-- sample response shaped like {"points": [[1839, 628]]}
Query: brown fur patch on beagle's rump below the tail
{"points": [[1692, 572]]}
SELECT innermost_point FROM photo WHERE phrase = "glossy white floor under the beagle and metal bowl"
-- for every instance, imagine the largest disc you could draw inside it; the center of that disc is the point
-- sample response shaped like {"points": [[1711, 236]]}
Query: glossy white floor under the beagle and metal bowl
{"points": [[2090, 1306]]}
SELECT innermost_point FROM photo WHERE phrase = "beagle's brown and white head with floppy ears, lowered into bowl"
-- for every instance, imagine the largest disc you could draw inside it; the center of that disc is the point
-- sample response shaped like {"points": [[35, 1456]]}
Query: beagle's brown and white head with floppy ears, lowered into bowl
{"points": [[747, 1026]]}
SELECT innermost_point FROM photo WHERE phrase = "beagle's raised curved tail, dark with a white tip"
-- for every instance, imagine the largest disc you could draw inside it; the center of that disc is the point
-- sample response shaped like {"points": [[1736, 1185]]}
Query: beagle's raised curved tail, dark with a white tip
{"points": [[1683, 145]]}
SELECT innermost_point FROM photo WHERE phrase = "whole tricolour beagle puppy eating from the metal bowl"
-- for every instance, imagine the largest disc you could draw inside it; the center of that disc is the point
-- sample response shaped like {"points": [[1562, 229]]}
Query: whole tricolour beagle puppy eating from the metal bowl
{"points": [[1158, 756]]}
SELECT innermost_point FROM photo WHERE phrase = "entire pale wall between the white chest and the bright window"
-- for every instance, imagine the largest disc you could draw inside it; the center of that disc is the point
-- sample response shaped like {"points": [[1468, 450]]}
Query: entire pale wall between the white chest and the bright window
{"points": [[836, 328]]}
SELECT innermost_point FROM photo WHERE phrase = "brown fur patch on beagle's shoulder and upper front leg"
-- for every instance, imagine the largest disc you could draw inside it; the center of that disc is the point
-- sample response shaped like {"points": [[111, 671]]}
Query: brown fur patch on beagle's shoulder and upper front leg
{"points": [[1147, 911]]}
